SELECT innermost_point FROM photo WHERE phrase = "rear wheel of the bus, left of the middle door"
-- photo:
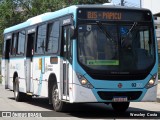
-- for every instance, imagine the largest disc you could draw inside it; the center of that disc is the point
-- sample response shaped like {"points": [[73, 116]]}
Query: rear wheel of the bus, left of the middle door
{"points": [[19, 96]]}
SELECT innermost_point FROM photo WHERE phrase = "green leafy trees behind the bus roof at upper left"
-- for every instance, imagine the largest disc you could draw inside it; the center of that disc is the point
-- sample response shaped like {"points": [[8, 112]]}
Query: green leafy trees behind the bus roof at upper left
{"points": [[13, 12]]}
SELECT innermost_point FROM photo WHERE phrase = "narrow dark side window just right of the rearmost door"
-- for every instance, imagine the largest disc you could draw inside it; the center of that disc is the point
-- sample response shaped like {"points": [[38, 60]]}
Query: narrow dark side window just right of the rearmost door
{"points": [[14, 44]]}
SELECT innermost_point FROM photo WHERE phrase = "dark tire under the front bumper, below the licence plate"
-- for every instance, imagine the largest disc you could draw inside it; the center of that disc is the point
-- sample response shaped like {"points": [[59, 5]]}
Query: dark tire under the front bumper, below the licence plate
{"points": [[120, 106]]}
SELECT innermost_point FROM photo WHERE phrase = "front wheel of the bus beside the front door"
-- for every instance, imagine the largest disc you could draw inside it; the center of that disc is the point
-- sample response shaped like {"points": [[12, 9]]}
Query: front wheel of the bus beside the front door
{"points": [[58, 105]]}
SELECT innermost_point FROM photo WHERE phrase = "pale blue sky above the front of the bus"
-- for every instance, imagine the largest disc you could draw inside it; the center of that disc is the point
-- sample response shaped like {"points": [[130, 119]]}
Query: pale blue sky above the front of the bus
{"points": [[133, 3]]}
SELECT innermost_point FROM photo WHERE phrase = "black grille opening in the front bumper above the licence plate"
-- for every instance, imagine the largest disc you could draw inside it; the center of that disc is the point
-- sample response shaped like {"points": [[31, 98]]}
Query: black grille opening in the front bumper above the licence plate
{"points": [[132, 95]]}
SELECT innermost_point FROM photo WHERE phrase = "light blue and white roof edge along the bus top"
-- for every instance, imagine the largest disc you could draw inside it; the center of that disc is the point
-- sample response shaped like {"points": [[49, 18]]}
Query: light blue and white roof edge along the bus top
{"points": [[51, 15]]}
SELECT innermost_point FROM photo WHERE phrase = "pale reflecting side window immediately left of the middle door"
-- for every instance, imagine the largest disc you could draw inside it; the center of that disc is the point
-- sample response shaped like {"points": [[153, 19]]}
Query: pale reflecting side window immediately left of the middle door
{"points": [[21, 43]]}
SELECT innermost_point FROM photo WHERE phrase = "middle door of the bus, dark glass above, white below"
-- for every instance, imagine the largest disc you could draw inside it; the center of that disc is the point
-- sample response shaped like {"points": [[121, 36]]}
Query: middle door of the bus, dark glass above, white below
{"points": [[28, 62]]}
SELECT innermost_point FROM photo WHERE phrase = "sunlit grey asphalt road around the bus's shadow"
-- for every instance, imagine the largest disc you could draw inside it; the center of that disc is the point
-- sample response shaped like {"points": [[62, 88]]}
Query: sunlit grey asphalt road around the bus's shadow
{"points": [[40, 106]]}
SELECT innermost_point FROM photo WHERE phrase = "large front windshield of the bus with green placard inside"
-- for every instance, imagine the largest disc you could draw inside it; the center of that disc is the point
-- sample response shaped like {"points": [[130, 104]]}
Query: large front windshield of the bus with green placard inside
{"points": [[116, 47]]}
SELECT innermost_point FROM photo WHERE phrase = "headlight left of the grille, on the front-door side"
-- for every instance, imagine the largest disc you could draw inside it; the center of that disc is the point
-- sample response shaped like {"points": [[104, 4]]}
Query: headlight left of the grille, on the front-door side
{"points": [[84, 82]]}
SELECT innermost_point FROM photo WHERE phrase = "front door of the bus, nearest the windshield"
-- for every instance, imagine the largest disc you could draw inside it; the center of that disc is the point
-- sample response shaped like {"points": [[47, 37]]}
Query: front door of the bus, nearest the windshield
{"points": [[66, 60]]}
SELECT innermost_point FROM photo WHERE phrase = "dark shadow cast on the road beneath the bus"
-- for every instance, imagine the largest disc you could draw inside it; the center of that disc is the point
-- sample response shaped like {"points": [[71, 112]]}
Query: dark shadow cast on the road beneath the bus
{"points": [[86, 110]]}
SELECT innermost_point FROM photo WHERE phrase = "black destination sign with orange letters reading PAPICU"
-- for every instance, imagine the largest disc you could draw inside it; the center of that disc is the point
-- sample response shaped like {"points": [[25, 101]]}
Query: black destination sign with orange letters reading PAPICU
{"points": [[114, 14]]}
